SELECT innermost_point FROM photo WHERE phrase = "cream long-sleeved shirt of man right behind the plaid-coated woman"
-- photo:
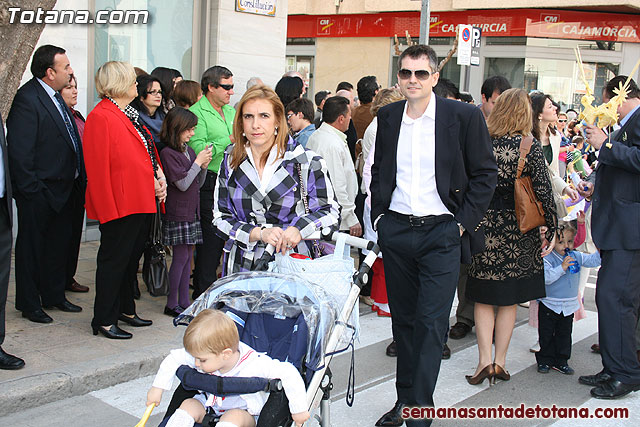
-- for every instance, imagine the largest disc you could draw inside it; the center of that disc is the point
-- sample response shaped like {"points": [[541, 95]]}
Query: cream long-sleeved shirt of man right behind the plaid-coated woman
{"points": [[331, 144]]}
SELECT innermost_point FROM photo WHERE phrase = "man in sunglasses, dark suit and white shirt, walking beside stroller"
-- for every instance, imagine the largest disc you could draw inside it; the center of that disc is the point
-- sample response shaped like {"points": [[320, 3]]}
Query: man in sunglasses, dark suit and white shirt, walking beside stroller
{"points": [[433, 177]]}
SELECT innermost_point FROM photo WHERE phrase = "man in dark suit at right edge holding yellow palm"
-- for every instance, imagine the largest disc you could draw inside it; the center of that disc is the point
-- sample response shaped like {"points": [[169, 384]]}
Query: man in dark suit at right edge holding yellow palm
{"points": [[614, 226]]}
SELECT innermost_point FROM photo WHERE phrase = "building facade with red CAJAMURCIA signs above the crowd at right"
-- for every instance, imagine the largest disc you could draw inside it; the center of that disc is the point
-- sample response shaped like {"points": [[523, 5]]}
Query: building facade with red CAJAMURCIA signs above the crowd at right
{"points": [[529, 42]]}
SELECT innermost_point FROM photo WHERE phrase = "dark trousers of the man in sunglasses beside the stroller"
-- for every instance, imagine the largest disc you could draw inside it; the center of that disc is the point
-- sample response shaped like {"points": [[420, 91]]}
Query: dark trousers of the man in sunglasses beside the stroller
{"points": [[421, 267]]}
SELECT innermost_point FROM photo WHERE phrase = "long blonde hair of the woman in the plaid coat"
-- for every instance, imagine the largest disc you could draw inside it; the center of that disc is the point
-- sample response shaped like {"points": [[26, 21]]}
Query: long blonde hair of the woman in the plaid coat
{"points": [[239, 153]]}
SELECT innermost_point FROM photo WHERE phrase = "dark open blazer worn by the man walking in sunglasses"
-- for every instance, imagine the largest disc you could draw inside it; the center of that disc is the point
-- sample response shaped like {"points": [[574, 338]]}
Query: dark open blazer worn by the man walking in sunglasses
{"points": [[466, 171]]}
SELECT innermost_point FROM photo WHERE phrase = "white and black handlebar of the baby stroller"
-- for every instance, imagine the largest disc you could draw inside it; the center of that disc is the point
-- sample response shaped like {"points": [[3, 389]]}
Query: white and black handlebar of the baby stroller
{"points": [[360, 278]]}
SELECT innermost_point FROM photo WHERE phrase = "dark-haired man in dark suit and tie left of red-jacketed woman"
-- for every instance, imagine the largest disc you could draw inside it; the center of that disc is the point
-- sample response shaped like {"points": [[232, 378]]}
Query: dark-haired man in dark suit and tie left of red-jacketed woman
{"points": [[48, 178]]}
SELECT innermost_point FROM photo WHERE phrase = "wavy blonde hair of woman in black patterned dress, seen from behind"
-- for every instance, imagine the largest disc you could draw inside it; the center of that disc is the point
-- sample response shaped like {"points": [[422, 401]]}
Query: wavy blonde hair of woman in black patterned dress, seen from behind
{"points": [[511, 115]]}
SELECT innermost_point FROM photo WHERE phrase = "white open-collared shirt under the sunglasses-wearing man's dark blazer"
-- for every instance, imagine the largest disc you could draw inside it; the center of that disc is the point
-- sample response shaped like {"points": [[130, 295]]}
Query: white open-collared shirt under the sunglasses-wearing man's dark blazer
{"points": [[416, 192]]}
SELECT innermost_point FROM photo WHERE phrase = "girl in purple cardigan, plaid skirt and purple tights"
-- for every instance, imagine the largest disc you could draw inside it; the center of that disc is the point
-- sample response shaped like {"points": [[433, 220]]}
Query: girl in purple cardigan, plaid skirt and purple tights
{"points": [[181, 228]]}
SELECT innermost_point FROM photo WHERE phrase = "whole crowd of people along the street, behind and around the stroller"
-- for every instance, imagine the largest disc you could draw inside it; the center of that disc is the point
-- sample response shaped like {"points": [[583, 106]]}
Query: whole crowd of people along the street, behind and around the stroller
{"points": [[416, 167]]}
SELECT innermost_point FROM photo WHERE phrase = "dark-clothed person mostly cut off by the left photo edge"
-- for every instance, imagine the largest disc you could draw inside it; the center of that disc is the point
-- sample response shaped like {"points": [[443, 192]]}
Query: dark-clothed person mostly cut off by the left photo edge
{"points": [[7, 361]]}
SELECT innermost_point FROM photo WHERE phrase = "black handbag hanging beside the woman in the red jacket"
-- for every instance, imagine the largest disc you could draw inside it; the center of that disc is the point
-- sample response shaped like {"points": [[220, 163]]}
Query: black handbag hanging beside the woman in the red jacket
{"points": [[154, 272]]}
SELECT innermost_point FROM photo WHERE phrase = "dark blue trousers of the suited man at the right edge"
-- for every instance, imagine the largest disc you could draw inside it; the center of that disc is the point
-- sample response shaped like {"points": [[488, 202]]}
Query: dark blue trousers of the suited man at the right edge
{"points": [[617, 299]]}
